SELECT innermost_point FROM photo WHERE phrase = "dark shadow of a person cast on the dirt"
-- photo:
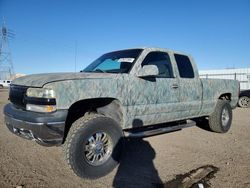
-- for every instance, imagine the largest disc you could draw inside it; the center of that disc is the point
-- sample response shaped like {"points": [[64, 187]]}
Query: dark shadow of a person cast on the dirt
{"points": [[136, 167]]}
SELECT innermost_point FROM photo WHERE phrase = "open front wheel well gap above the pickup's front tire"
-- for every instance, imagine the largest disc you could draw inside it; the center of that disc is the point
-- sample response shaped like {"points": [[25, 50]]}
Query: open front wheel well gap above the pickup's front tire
{"points": [[109, 107]]}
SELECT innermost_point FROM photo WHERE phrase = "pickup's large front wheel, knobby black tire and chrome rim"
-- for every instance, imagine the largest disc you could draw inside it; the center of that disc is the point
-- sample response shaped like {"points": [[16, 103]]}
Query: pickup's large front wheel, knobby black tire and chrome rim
{"points": [[78, 140]]}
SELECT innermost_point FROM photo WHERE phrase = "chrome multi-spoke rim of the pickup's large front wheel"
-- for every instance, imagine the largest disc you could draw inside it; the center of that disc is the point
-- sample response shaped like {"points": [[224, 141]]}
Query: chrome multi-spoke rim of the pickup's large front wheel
{"points": [[98, 148]]}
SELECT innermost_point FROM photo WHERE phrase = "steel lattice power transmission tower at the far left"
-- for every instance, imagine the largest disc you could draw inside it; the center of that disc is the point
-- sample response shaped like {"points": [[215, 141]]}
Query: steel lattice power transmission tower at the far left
{"points": [[6, 65]]}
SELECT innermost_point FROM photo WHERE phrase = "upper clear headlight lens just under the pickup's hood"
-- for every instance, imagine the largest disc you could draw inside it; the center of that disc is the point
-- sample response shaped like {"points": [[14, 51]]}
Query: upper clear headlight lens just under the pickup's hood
{"points": [[40, 93]]}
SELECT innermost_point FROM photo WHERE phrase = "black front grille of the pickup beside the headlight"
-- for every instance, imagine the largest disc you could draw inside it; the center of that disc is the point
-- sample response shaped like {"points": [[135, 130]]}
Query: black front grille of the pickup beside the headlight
{"points": [[17, 95]]}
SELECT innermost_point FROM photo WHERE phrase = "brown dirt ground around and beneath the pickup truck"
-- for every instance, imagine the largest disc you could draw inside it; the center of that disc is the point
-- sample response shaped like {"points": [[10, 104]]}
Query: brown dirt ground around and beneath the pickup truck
{"points": [[147, 162]]}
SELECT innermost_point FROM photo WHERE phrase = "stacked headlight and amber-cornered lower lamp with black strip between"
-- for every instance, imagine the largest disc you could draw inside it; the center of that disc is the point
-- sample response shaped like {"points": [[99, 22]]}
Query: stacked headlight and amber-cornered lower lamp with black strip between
{"points": [[40, 100]]}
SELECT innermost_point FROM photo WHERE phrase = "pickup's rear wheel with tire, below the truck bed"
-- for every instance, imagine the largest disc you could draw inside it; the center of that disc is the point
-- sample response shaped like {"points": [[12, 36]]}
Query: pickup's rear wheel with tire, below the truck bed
{"points": [[221, 119]]}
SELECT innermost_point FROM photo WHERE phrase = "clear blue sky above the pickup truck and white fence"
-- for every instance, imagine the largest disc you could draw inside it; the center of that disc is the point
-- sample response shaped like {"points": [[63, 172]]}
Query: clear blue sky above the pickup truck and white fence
{"points": [[216, 33]]}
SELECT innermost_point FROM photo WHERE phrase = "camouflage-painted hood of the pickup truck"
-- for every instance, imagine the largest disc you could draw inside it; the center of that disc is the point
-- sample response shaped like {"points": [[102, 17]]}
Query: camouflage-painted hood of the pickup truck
{"points": [[39, 80]]}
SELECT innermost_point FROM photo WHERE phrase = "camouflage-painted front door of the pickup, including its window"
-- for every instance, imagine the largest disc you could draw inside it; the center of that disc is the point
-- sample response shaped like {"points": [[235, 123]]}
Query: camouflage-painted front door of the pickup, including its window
{"points": [[163, 90]]}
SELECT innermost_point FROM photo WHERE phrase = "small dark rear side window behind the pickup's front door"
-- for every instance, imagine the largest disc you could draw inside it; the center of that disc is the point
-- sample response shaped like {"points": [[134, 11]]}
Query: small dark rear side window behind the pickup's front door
{"points": [[184, 66]]}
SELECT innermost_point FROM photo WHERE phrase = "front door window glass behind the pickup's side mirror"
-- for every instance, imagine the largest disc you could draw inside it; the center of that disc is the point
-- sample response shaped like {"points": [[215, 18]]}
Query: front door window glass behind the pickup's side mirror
{"points": [[162, 61]]}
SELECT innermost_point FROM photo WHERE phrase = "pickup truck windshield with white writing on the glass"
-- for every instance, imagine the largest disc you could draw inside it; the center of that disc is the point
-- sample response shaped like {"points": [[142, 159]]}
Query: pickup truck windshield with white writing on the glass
{"points": [[114, 62]]}
